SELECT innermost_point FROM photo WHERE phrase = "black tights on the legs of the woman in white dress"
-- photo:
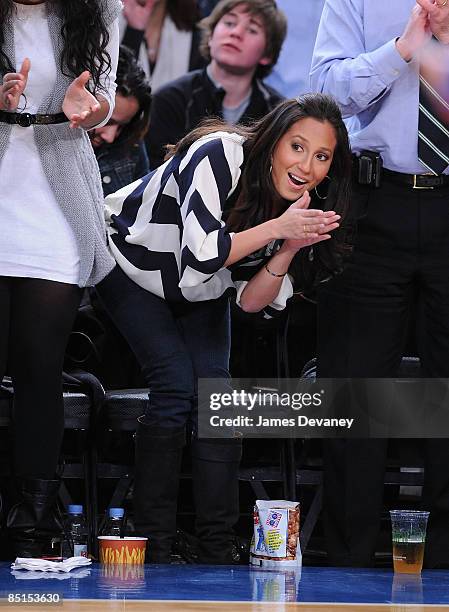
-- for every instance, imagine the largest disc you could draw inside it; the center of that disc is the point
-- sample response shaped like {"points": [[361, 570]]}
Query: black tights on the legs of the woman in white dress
{"points": [[36, 317]]}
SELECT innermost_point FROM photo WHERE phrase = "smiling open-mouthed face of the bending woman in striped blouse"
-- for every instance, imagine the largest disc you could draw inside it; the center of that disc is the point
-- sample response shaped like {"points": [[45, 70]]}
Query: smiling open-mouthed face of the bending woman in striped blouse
{"points": [[302, 157]]}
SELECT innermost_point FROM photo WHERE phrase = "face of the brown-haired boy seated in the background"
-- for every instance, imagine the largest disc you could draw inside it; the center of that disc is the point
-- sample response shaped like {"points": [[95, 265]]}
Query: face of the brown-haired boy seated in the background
{"points": [[238, 41]]}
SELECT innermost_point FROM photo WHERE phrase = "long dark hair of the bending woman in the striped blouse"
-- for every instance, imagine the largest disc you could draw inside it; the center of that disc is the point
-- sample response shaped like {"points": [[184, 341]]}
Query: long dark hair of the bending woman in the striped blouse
{"points": [[258, 199]]}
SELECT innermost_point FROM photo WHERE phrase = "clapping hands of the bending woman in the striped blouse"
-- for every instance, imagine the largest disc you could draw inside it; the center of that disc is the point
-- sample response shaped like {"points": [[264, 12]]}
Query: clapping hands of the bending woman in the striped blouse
{"points": [[300, 226]]}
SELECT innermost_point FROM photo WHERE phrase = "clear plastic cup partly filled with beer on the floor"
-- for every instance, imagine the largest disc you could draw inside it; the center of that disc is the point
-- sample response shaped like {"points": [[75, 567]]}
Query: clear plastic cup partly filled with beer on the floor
{"points": [[408, 529]]}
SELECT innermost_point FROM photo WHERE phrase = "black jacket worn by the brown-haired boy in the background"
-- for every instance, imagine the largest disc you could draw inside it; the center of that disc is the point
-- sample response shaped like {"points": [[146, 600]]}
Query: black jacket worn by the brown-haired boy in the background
{"points": [[181, 105]]}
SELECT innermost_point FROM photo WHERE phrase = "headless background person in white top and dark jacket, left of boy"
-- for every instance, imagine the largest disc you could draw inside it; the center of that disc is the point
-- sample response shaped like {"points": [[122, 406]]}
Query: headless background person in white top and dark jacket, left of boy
{"points": [[163, 36]]}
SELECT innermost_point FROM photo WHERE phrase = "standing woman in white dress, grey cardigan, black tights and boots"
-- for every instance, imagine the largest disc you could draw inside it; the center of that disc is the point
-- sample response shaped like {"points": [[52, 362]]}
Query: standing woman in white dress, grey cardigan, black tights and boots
{"points": [[57, 81]]}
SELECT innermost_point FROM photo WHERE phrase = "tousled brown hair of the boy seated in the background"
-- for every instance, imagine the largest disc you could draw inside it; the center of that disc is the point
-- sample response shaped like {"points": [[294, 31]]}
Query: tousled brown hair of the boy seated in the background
{"points": [[273, 19]]}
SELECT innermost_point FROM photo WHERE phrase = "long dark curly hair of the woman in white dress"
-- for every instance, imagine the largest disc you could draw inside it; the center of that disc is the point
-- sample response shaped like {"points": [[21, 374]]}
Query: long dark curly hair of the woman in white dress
{"points": [[84, 34]]}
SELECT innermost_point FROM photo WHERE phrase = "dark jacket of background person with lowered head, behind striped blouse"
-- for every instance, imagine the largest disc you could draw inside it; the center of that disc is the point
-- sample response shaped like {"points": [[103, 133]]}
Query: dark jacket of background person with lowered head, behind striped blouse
{"points": [[121, 164]]}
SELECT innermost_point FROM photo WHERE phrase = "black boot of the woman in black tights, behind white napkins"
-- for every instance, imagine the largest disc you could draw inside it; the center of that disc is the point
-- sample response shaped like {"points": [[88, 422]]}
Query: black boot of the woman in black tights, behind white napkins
{"points": [[33, 527]]}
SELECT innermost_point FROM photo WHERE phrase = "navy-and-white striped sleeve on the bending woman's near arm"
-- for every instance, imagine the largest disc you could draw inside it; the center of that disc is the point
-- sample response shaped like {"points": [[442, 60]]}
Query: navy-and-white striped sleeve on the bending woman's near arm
{"points": [[208, 175]]}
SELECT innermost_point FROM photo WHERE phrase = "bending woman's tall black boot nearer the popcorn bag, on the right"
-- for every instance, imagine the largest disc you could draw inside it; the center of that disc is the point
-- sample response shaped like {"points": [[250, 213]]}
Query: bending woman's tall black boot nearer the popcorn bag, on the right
{"points": [[215, 473]]}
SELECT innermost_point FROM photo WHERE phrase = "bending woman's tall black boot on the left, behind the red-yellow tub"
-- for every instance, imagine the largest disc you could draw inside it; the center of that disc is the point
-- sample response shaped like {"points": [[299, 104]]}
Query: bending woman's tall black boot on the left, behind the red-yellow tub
{"points": [[158, 464]]}
